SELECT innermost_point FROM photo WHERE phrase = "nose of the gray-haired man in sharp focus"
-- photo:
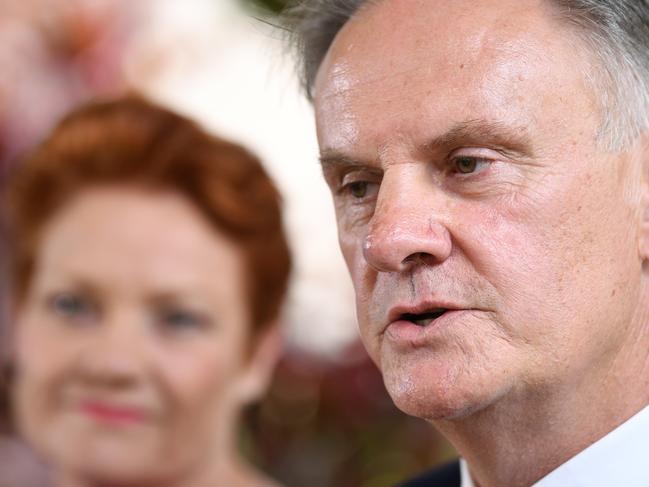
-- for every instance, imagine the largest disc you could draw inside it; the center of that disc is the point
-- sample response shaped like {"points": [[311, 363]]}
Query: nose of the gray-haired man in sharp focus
{"points": [[407, 229]]}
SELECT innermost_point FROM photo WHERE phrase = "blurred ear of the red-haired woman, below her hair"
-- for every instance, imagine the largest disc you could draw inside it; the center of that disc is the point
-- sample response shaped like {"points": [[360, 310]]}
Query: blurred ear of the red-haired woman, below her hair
{"points": [[266, 350]]}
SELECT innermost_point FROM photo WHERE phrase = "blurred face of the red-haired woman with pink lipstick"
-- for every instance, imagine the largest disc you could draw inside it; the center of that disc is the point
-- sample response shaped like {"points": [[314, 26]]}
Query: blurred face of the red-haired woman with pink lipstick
{"points": [[132, 342]]}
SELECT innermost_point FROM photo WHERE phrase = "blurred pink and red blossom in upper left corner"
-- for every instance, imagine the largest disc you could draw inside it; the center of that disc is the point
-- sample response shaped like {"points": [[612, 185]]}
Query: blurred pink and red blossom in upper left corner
{"points": [[56, 53]]}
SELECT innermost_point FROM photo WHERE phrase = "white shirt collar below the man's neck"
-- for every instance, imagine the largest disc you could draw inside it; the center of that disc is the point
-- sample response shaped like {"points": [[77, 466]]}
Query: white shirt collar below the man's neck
{"points": [[619, 458]]}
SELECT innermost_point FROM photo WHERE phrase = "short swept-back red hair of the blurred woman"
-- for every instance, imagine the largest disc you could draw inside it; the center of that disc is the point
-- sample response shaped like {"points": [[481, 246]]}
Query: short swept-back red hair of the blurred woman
{"points": [[131, 141]]}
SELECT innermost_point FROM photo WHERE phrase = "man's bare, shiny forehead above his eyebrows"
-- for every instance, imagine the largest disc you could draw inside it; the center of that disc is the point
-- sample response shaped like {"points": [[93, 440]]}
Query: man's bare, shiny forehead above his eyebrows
{"points": [[477, 60]]}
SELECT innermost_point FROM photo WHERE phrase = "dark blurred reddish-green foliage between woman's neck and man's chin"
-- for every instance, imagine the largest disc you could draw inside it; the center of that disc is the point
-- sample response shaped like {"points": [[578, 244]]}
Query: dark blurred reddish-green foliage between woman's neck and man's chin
{"points": [[332, 424]]}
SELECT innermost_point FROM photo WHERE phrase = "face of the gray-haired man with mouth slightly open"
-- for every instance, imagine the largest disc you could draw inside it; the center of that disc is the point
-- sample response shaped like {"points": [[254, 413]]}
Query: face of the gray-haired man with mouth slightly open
{"points": [[492, 242]]}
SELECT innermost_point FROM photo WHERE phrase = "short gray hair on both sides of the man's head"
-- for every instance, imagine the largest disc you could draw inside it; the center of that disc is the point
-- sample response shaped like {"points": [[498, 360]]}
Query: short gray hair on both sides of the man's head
{"points": [[616, 32]]}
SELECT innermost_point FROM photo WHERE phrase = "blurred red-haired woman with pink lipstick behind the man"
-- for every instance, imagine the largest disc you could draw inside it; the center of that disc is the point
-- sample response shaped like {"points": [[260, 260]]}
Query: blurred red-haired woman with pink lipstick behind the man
{"points": [[148, 267]]}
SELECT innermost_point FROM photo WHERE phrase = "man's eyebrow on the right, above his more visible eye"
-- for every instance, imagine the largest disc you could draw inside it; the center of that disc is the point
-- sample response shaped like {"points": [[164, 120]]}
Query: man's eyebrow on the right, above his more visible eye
{"points": [[480, 132]]}
